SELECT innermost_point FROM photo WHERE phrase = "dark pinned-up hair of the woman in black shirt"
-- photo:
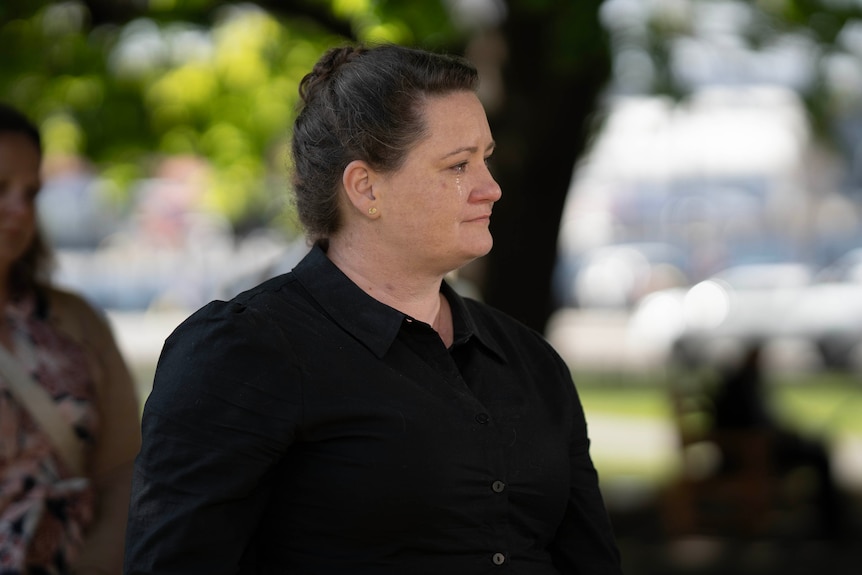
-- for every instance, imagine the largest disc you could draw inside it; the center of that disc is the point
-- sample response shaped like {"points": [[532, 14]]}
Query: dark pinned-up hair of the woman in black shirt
{"points": [[363, 103]]}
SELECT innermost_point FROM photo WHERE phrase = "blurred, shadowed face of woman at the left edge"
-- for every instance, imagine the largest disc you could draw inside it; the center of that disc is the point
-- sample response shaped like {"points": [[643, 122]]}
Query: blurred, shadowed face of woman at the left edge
{"points": [[19, 183]]}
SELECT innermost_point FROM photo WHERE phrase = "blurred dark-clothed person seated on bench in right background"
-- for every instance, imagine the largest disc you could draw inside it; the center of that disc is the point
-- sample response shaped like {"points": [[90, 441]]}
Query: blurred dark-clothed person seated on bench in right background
{"points": [[740, 402]]}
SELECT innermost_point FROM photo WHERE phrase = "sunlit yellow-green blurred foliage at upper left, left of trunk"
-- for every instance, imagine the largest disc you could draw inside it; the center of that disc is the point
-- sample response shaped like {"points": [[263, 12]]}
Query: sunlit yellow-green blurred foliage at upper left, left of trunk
{"points": [[187, 77]]}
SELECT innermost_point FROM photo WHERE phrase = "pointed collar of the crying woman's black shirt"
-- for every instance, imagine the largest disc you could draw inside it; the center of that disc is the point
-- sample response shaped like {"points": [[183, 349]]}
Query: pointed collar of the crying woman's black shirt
{"points": [[369, 320]]}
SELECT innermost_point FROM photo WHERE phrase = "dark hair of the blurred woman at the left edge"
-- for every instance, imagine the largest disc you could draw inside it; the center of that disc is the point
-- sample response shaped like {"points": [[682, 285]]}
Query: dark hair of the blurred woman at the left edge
{"points": [[32, 267]]}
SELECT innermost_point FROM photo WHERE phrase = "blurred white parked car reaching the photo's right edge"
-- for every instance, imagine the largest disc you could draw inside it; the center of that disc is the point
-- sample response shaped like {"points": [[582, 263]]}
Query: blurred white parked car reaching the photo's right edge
{"points": [[767, 302]]}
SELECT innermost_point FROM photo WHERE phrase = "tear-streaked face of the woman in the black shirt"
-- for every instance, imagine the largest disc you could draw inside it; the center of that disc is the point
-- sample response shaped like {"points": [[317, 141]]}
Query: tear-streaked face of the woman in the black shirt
{"points": [[437, 206]]}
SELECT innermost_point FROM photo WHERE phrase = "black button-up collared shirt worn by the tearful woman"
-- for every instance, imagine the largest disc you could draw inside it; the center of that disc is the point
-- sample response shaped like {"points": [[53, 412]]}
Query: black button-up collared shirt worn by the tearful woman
{"points": [[306, 428]]}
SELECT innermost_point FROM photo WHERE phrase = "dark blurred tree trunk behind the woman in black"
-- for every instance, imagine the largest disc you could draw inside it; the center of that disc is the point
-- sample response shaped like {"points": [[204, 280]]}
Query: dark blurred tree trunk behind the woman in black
{"points": [[541, 130]]}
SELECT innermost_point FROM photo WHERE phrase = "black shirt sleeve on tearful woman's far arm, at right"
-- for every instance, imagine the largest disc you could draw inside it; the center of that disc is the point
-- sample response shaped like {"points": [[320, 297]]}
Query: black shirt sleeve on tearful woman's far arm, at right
{"points": [[585, 543]]}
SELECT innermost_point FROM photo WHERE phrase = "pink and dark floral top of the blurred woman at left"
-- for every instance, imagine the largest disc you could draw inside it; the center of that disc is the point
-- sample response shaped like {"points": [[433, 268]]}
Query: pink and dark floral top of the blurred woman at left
{"points": [[44, 509]]}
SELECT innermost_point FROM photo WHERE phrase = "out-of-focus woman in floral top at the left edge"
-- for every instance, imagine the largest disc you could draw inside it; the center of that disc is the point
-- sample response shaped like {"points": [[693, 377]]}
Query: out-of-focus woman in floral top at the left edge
{"points": [[63, 508]]}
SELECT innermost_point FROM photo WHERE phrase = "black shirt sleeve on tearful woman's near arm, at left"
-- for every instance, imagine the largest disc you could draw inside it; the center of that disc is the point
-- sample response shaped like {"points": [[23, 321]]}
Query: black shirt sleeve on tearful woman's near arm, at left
{"points": [[214, 426]]}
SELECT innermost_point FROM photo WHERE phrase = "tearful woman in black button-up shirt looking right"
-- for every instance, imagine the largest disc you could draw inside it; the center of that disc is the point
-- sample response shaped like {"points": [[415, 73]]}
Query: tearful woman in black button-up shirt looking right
{"points": [[356, 415]]}
